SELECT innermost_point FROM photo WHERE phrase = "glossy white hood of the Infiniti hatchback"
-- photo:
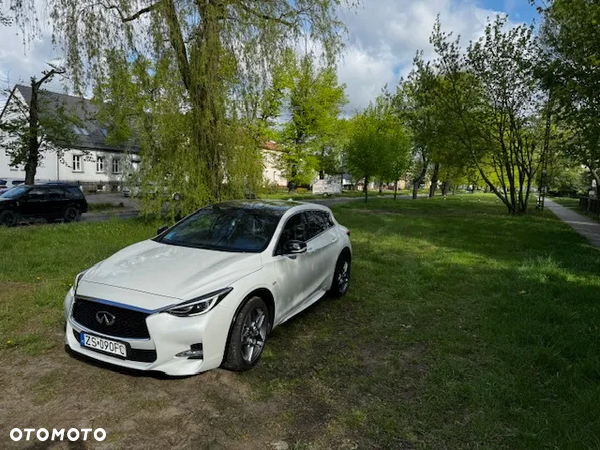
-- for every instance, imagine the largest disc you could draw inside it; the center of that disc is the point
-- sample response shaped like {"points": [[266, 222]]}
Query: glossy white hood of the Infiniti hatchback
{"points": [[171, 271]]}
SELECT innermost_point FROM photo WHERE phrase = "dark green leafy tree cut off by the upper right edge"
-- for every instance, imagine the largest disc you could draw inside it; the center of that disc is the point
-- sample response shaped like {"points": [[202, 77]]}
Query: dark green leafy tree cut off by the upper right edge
{"points": [[570, 70]]}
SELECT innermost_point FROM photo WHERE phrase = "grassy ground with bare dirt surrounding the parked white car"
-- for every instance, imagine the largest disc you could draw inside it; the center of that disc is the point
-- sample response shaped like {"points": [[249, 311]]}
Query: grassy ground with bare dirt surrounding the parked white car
{"points": [[463, 328]]}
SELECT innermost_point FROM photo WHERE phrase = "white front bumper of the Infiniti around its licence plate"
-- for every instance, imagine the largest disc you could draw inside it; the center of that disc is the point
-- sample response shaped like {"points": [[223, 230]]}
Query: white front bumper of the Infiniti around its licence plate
{"points": [[169, 335]]}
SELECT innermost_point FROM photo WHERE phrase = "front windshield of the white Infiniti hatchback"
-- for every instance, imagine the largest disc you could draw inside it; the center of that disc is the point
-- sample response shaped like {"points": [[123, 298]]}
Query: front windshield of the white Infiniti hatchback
{"points": [[226, 228]]}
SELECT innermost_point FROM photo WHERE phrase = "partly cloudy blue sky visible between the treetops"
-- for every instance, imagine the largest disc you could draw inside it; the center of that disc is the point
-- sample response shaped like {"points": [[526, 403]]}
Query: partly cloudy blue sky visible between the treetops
{"points": [[383, 38]]}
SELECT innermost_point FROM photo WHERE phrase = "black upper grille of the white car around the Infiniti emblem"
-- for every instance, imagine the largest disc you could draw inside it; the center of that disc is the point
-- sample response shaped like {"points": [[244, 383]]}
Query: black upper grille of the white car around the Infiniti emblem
{"points": [[127, 323]]}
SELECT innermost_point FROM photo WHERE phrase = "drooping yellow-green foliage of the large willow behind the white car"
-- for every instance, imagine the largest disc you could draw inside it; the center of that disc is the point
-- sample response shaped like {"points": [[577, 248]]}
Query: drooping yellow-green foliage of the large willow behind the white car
{"points": [[203, 70]]}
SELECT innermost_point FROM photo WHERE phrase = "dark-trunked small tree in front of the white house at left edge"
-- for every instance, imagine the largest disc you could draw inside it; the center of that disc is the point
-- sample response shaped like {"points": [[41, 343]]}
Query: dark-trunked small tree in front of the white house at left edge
{"points": [[41, 125]]}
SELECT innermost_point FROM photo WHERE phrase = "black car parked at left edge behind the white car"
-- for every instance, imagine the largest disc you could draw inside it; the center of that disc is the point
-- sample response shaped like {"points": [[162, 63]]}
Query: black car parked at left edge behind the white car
{"points": [[49, 201]]}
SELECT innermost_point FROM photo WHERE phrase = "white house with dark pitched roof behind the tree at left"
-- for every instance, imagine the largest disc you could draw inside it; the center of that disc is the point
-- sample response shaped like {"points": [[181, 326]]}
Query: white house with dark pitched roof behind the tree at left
{"points": [[91, 162]]}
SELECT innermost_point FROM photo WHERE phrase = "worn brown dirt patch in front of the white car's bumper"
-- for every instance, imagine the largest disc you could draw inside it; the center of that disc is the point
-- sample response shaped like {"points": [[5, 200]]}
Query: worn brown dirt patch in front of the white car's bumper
{"points": [[213, 410]]}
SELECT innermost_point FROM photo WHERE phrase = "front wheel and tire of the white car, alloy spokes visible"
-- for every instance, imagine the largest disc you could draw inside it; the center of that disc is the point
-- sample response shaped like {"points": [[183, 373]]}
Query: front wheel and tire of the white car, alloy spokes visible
{"points": [[247, 338]]}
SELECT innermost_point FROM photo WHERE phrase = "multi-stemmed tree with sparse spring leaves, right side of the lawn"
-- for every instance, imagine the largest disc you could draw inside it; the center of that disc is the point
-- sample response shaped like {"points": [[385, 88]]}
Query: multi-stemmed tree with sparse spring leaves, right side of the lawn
{"points": [[490, 96]]}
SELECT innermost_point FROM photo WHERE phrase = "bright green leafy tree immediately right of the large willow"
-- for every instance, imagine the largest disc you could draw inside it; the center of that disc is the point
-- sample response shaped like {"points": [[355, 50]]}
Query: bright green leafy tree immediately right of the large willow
{"points": [[315, 102]]}
